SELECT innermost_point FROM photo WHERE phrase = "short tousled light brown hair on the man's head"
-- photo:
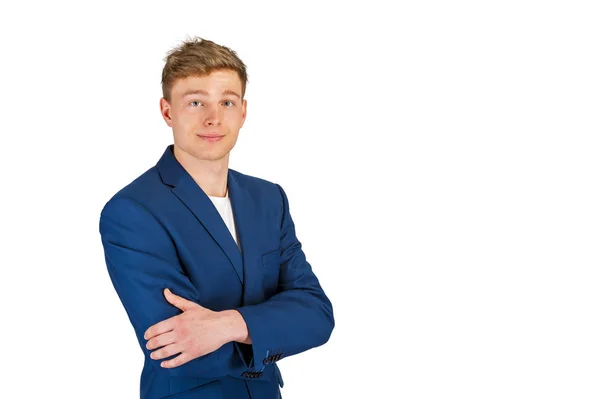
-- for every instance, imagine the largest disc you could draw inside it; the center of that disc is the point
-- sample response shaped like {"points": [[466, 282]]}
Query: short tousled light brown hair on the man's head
{"points": [[199, 57]]}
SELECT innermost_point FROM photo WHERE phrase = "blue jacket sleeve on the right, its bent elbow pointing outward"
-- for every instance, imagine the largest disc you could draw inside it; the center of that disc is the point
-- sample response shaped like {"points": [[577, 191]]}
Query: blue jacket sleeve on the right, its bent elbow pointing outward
{"points": [[299, 316]]}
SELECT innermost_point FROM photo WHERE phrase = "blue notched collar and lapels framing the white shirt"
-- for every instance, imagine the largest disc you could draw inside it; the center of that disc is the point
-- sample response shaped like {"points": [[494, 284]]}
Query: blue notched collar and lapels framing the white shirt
{"points": [[188, 191]]}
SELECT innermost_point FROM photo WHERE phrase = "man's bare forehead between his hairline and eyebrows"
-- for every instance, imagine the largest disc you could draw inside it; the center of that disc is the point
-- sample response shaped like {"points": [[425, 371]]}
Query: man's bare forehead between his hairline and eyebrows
{"points": [[213, 83]]}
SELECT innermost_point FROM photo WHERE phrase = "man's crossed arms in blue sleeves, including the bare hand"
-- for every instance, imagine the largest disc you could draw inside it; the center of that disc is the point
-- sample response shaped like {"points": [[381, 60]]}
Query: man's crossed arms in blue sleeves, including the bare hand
{"points": [[142, 263]]}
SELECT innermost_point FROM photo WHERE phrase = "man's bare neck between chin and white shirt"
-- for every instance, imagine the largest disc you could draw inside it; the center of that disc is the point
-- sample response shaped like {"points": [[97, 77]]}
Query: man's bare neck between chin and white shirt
{"points": [[210, 175]]}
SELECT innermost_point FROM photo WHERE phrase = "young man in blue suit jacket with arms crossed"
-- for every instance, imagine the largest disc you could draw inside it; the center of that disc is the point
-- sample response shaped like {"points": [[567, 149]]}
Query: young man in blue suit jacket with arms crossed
{"points": [[205, 259]]}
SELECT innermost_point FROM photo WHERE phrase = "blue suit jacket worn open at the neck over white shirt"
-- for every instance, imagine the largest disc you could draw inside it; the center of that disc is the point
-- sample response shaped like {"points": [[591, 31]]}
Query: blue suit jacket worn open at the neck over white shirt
{"points": [[162, 231]]}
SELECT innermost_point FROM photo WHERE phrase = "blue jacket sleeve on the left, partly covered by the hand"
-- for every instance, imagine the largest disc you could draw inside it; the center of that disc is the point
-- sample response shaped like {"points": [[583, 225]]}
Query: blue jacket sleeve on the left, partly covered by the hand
{"points": [[142, 261]]}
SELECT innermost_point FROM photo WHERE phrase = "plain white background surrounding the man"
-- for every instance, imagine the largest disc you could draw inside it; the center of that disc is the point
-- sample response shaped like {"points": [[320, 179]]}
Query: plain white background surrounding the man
{"points": [[441, 161]]}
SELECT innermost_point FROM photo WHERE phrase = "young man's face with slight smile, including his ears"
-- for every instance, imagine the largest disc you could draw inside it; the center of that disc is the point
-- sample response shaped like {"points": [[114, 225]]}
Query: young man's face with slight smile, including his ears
{"points": [[207, 105]]}
